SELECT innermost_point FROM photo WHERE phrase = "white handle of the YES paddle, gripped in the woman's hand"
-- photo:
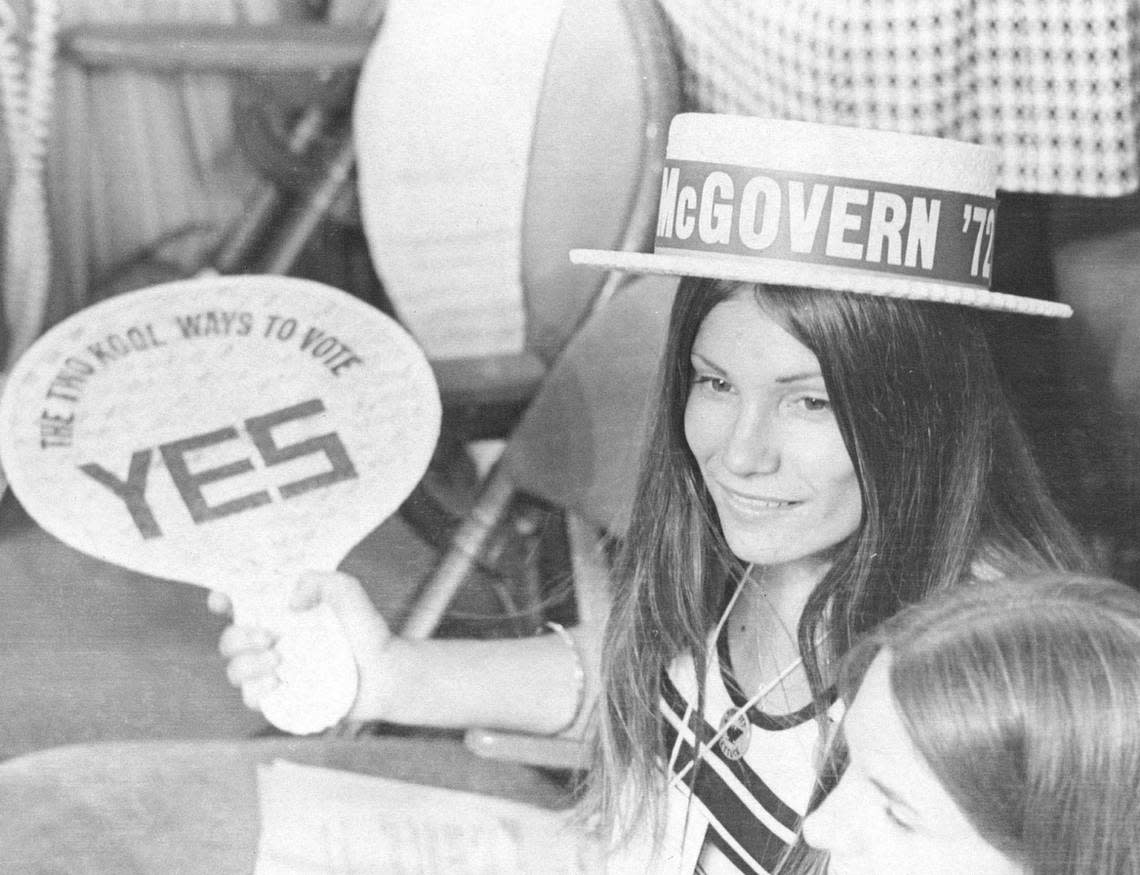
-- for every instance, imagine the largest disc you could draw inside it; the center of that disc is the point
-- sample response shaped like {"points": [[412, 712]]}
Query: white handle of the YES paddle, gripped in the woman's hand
{"points": [[317, 673]]}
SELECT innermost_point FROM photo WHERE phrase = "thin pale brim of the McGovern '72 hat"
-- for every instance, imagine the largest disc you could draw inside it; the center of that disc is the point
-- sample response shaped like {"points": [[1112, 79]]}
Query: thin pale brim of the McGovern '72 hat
{"points": [[776, 272]]}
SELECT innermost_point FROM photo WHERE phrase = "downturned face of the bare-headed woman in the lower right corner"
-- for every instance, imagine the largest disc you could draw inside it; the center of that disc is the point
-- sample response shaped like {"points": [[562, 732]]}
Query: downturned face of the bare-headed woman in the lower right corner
{"points": [[890, 812]]}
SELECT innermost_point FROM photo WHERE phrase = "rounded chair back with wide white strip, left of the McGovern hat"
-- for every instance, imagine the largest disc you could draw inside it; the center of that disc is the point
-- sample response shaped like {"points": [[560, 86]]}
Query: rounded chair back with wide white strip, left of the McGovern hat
{"points": [[492, 138]]}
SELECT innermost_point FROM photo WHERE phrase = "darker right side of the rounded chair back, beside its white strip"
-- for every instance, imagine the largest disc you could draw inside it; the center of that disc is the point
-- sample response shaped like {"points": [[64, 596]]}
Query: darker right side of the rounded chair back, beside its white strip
{"points": [[610, 89]]}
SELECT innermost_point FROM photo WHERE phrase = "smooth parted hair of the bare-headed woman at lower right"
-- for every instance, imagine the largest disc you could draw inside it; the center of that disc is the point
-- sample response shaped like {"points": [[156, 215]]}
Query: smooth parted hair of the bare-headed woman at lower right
{"points": [[1024, 699]]}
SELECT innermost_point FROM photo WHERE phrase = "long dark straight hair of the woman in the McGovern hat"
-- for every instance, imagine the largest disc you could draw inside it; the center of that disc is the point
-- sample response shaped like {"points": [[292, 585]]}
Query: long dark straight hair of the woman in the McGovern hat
{"points": [[949, 492]]}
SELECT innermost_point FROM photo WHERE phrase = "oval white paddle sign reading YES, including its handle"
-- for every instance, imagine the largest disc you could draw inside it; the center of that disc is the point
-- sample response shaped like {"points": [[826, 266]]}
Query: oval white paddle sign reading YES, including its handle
{"points": [[231, 434]]}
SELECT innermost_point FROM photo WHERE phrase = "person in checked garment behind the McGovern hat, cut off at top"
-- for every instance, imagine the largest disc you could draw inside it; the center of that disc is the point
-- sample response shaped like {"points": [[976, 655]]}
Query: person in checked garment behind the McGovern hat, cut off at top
{"points": [[1048, 86]]}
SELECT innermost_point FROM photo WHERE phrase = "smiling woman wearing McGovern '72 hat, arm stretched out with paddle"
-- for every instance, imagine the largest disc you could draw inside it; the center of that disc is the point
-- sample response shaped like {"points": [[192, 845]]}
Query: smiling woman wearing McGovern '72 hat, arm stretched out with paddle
{"points": [[830, 446]]}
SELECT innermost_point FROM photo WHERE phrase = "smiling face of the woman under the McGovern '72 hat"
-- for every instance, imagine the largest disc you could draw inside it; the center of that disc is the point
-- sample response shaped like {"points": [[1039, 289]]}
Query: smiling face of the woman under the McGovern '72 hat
{"points": [[761, 427]]}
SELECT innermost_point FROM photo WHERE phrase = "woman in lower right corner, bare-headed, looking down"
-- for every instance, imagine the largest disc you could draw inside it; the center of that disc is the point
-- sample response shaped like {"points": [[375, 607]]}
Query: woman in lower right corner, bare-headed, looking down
{"points": [[996, 725]]}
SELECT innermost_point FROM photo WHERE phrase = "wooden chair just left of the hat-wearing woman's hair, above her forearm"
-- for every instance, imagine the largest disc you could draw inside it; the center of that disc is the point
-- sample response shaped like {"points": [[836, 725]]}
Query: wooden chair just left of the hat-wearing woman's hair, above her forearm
{"points": [[580, 447]]}
